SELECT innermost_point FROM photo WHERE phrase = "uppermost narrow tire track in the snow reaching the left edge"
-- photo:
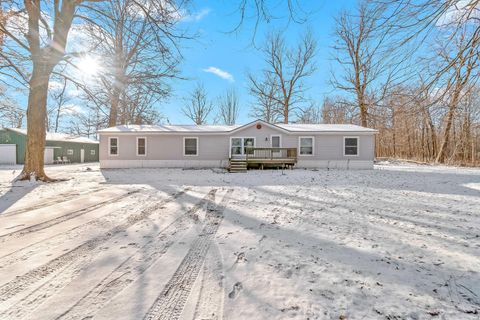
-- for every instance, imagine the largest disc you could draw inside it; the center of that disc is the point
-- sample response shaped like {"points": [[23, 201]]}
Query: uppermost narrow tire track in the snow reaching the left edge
{"points": [[63, 218]]}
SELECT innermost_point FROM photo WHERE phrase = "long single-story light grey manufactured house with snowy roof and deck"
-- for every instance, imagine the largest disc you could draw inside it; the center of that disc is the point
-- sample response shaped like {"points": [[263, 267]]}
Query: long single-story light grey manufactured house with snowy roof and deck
{"points": [[256, 144]]}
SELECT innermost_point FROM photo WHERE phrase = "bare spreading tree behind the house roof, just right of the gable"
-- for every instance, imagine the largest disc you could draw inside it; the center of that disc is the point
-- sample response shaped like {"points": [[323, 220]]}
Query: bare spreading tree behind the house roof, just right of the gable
{"points": [[281, 81]]}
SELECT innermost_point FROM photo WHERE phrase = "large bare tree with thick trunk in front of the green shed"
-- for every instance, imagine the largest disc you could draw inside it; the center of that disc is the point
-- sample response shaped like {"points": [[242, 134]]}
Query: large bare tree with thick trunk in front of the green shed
{"points": [[33, 61]]}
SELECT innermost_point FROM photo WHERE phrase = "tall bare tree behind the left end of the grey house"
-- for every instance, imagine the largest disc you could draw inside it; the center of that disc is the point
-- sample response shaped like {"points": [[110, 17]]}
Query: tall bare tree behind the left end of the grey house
{"points": [[138, 43]]}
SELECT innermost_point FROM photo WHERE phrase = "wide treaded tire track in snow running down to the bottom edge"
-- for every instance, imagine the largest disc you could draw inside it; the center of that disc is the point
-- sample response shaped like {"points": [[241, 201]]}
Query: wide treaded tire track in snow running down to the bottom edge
{"points": [[171, 301]]}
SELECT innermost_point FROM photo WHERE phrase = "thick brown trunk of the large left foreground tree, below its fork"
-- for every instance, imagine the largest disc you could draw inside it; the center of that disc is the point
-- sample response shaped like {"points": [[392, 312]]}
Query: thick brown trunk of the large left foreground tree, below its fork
{"points": [[36, 126]]}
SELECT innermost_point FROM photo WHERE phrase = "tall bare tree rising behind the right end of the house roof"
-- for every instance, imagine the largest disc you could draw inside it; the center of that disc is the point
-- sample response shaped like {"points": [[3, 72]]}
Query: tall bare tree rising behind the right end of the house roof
{"points": [[362, 51]]}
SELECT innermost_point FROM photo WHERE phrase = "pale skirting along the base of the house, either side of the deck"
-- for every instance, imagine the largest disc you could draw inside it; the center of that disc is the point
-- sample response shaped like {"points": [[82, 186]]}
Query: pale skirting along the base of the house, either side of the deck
{"points": [[330, 164]]}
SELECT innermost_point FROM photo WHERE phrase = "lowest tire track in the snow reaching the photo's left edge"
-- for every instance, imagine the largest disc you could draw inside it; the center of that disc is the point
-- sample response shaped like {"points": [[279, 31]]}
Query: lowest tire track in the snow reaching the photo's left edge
{"points": [[81, 252]]}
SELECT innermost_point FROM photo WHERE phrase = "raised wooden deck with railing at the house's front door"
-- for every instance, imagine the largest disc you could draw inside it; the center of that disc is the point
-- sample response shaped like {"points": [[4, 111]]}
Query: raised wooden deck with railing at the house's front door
{"points": [[269, 157]]}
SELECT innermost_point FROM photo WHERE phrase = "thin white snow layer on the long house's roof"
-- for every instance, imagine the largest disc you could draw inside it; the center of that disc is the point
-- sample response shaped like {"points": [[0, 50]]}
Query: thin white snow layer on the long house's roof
{"points": [[225, 129]]}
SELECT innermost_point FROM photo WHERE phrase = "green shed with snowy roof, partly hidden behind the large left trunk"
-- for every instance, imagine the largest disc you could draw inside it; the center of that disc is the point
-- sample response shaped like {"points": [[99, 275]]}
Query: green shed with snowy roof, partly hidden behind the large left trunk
{"points": [[58, 145]]}
